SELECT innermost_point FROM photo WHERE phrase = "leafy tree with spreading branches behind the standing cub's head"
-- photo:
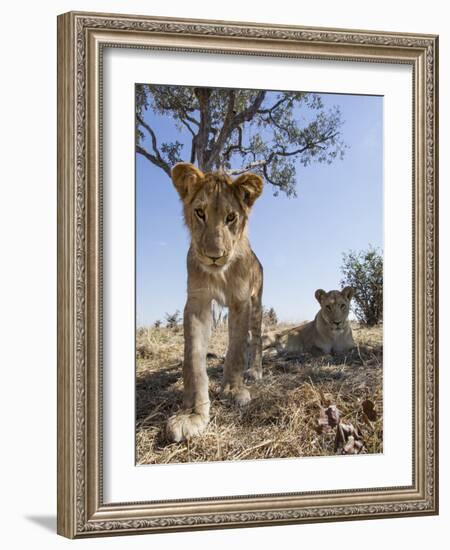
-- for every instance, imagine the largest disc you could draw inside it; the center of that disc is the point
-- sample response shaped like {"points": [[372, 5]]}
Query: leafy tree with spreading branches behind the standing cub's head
{"points": [[234, 130]]}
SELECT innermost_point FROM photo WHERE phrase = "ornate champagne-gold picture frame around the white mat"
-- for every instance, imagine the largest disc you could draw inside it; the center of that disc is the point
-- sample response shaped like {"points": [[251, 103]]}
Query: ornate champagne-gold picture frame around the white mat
{"points": [[82, 38]]}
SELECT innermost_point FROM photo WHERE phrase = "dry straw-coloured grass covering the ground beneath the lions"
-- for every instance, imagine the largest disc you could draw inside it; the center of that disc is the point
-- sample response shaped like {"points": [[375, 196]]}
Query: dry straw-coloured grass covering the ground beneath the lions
{"points": [[282, 418]]}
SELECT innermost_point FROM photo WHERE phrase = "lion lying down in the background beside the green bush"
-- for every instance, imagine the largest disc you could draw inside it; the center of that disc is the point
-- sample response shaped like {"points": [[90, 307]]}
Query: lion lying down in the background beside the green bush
{"points": [[330, 332]]}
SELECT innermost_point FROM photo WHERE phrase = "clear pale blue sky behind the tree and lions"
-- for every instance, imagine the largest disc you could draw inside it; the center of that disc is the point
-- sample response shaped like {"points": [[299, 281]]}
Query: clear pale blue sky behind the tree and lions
{"points": [[299, 241]]}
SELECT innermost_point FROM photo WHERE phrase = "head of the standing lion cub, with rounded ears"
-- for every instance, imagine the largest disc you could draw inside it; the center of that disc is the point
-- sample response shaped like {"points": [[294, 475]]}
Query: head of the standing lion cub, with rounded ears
{"points": [[216, 211]]}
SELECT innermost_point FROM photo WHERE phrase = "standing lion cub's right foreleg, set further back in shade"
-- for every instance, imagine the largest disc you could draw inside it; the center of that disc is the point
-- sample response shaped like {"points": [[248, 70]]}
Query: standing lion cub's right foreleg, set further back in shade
{"points": [[236, 359]]}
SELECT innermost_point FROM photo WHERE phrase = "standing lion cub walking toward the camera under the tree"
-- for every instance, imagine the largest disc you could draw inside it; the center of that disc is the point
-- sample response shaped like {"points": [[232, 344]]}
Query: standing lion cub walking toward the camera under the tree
{"points": [[221, 266]]}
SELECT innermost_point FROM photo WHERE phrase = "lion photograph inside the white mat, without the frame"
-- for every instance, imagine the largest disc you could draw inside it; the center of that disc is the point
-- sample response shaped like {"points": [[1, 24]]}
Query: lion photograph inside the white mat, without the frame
{"points": [[259, 274]]}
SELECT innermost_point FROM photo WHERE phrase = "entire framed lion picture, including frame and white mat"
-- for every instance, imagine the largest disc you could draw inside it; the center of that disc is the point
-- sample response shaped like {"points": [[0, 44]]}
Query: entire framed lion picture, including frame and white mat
{"points": [[247, 276]]}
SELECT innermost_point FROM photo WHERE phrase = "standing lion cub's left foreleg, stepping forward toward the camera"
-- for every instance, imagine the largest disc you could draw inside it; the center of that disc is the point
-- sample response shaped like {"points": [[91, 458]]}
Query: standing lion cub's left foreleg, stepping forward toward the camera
{"points": [[193, 420]]}
